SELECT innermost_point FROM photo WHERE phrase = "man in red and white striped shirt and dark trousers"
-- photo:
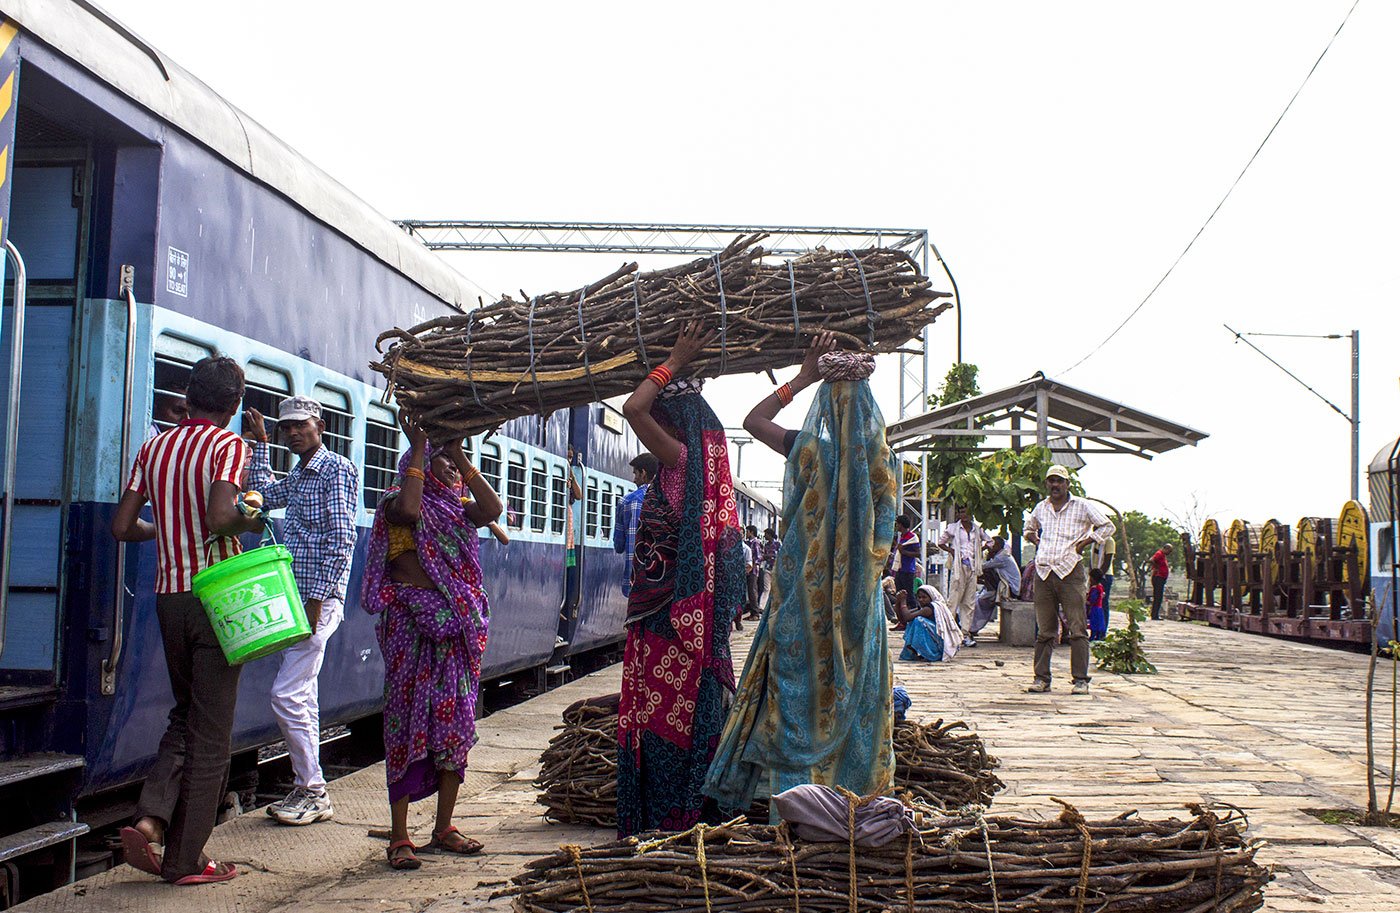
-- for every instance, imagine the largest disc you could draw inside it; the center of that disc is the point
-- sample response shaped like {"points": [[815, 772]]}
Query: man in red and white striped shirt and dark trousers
{"points": [[192, 477]]}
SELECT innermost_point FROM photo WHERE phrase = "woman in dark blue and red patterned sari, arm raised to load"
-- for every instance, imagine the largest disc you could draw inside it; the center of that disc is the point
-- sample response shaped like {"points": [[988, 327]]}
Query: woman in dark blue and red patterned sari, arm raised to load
{"points": [[688, 585]]}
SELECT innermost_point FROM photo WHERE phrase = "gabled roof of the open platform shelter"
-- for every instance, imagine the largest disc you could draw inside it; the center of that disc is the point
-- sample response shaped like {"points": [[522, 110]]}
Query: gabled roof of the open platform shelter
{"points": [[1048, 412]]}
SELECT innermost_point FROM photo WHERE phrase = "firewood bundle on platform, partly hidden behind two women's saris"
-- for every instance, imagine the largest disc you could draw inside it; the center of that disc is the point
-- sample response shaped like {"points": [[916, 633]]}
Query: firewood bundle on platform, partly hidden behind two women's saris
{"points": [[939, 765]]}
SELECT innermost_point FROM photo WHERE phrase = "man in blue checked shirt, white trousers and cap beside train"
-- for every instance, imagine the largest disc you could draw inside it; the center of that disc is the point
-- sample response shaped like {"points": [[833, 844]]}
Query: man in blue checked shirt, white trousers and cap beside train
{"points": [[321, 496]]}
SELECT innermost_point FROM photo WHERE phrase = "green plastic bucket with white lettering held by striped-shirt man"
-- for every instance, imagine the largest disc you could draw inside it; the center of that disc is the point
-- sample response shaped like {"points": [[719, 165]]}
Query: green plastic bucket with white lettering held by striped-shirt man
{"points": [[253, 603]]}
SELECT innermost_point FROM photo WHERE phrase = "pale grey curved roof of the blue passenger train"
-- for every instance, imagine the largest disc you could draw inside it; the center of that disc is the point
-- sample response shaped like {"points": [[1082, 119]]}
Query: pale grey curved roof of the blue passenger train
{"points": [[111, 53]]}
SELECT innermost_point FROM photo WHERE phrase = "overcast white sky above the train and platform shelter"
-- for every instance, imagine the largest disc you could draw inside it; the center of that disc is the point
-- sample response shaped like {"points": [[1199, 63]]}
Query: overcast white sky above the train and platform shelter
{"points": [[1060, 156]]}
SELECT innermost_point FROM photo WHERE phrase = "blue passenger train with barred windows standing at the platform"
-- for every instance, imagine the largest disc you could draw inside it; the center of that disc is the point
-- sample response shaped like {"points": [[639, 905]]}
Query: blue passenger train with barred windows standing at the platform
{"points": [[152, 225]]}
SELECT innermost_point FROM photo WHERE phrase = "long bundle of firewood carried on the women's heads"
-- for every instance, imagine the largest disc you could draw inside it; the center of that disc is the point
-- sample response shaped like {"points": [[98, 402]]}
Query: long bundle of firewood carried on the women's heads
{"points": [[465, 373]]}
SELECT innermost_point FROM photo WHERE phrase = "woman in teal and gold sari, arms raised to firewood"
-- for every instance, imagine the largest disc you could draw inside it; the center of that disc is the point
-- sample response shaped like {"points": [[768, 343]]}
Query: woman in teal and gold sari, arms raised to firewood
{"points": [[815, 701]]}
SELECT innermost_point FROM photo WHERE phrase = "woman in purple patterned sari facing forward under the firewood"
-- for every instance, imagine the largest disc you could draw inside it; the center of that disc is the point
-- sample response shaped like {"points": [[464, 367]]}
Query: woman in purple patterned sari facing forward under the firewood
{"points": [[425, 582]]}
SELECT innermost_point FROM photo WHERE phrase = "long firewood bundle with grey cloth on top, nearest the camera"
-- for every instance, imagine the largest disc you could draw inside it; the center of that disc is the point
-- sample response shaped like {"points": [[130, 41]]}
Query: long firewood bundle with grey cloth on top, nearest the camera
{"points": [[950, 865]]}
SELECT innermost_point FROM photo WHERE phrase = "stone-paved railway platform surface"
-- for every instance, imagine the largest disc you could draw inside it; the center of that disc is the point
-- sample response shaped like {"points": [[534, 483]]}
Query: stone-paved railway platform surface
{"points": [[1270, 726]]}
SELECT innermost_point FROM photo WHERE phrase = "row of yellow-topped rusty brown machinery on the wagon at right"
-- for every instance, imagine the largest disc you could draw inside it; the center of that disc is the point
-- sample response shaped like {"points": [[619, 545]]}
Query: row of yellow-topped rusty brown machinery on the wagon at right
{"points": [[1310, 582]]}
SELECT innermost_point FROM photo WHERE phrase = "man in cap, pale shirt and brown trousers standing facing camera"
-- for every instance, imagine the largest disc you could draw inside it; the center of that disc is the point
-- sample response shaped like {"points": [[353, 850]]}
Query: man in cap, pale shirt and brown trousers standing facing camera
{"points": [[1060, 529]]}
